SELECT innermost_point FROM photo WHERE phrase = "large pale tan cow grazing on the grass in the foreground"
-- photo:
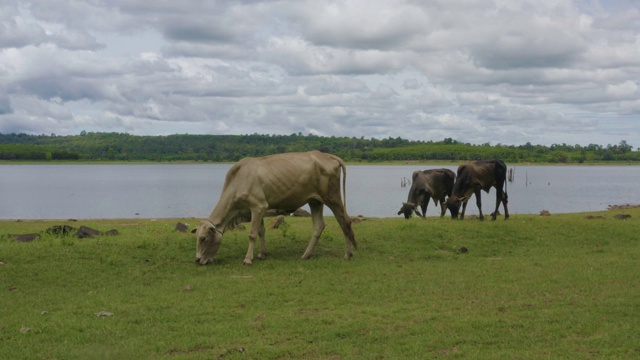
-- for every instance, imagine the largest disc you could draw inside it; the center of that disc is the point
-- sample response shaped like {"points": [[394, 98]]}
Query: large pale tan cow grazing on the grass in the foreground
{"points": [[285, 181]]}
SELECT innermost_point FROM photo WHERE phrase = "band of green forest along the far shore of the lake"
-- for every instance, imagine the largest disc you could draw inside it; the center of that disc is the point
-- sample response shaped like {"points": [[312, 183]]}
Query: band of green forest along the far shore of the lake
{"points": [[230, 148]]}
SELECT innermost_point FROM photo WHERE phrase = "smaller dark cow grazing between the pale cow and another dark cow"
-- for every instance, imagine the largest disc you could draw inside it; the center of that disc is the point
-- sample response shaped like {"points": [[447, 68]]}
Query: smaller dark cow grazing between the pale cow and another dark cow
{"points": [[428, 184]]}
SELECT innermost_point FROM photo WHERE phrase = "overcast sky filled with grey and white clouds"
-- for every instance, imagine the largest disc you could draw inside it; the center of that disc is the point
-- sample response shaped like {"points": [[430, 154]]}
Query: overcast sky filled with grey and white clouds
{"points": [[478, 71]]}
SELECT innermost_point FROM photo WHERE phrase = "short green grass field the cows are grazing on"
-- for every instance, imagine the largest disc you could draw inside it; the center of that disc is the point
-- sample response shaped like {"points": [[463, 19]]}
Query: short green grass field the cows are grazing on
{"points": [[532, 287]]}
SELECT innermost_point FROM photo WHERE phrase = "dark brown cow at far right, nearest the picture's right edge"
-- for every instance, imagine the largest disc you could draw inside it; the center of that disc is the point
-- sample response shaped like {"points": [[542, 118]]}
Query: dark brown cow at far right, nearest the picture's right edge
{"points": [[475, 176]]}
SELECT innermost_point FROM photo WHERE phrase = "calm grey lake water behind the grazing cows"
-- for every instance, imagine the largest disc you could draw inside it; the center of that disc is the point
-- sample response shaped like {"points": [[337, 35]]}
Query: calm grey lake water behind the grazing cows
{"points": [[160, 191]]}
